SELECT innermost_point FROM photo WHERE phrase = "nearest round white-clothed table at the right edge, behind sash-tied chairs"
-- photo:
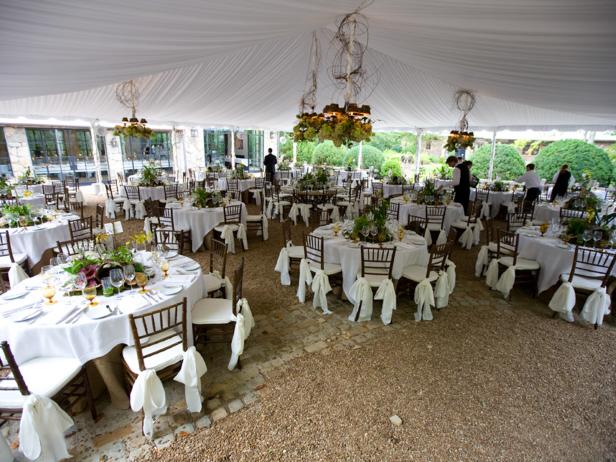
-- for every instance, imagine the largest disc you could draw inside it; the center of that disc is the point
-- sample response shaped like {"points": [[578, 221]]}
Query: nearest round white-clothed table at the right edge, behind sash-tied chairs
{"points": [[554, 256]]}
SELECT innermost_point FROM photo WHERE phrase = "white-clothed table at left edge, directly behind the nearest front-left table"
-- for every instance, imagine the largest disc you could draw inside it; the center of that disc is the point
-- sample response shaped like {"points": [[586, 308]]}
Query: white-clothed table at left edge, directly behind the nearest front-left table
{"points": [[34, 240]]}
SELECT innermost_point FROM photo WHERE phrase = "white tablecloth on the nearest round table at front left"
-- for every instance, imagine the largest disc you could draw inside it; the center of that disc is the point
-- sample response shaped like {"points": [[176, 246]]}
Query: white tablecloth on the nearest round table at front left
{"points": [[86, 339]]}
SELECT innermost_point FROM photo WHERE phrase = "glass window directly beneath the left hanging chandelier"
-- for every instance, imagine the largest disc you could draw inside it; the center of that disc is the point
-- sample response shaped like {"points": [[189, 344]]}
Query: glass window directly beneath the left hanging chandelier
{"points": [[136, 151]]}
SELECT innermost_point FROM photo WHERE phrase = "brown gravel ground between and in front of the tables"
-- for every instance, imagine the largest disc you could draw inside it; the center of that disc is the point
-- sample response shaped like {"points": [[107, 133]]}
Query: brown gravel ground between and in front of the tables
{"points": [[487, 380]]}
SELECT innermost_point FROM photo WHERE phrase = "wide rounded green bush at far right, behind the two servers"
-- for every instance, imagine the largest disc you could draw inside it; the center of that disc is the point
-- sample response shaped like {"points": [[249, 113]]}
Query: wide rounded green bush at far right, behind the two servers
{"points": [[580, 156]]}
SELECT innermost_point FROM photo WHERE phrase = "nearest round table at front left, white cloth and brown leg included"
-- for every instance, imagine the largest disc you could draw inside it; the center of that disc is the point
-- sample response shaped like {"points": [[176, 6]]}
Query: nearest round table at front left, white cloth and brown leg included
{"points": [[87, 339]]}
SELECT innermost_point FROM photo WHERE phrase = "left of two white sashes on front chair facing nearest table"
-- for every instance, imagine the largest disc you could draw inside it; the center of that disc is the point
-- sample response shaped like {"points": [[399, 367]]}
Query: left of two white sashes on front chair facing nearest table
{"points": [[148, 394]]}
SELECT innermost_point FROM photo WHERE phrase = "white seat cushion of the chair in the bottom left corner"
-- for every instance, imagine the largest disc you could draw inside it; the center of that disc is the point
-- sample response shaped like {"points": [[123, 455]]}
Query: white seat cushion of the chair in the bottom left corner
{"points": [[43, 376]]}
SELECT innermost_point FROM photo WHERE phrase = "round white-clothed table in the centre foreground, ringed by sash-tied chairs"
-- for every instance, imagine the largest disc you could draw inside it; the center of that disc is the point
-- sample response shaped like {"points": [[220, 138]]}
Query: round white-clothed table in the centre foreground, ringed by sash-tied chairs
{"points": [[411, 251]]}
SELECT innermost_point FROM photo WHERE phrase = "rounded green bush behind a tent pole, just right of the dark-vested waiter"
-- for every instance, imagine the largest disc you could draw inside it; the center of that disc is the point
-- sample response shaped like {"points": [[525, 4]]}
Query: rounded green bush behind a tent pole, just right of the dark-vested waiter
{"points": [[508, 163]]}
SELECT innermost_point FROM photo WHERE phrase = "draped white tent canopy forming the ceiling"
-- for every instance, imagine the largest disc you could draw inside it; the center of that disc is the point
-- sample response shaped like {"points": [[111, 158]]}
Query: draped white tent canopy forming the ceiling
{"points": [[532, 63]]}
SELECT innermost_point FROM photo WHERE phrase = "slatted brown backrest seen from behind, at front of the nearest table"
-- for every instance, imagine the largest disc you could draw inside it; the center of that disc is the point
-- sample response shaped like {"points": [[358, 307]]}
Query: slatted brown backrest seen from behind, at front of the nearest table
{"points": [[165, 323]]}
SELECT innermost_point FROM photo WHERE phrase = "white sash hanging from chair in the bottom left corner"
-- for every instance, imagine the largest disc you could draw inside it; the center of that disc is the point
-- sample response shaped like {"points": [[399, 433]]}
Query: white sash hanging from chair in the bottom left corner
{"points": [[41, 430]]}
